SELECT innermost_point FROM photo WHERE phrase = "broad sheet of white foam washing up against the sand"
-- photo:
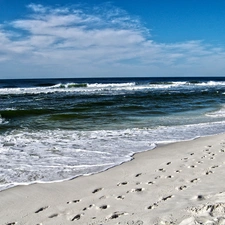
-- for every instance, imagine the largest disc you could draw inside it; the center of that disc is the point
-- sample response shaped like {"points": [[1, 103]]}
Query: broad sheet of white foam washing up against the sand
{"points": [[30, 156]]}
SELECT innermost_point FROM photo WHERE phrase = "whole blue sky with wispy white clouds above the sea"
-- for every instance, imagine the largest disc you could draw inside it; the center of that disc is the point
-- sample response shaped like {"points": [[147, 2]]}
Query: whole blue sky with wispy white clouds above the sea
{"points": [[120, 38]]}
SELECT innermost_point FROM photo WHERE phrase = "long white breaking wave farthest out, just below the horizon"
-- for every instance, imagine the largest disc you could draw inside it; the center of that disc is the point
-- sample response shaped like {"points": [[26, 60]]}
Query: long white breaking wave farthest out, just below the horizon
{"points": [[112, 87]]}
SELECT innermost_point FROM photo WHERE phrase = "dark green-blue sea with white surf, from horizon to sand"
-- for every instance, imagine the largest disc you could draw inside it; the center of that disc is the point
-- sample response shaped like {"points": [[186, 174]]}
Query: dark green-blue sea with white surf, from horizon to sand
{"points": [[57, 129]]}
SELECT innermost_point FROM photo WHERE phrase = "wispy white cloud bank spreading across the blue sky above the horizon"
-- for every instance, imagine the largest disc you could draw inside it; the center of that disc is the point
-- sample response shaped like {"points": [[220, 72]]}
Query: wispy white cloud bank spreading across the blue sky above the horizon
{"points": [[103, 41]]}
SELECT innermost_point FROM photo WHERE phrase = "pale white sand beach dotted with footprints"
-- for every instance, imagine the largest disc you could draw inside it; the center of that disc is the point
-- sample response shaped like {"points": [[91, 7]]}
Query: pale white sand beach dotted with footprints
{"points": [[180, 183]]}
